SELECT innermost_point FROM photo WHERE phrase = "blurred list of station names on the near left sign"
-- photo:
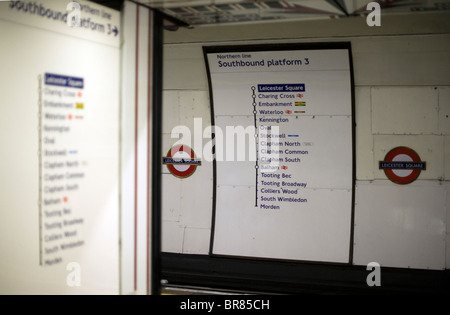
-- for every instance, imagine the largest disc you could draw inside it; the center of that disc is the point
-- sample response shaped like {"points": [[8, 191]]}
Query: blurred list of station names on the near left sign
{"points": [[63, 173]]}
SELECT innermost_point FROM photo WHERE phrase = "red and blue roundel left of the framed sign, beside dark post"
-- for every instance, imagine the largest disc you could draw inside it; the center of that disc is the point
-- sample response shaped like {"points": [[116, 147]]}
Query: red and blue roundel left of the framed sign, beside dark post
{"points": [[181, 161]]}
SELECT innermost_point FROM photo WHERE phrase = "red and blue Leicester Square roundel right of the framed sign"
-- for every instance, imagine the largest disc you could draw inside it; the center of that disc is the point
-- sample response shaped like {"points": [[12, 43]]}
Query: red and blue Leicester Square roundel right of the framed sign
{"points": [[402, 165]]}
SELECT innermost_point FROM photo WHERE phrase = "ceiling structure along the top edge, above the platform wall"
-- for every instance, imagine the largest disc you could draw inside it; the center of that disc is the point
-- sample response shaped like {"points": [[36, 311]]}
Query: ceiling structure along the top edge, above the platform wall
{"points": [[204, 12]]}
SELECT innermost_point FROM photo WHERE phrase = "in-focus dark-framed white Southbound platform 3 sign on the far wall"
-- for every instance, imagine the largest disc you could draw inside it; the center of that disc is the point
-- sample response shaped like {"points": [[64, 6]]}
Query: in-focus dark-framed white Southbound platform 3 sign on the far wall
{"points": [[291, 197]]}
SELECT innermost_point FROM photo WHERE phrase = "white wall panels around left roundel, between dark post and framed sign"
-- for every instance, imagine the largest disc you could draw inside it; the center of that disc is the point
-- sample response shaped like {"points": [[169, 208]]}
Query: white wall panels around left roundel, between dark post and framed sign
{"points": [[187, 203]]}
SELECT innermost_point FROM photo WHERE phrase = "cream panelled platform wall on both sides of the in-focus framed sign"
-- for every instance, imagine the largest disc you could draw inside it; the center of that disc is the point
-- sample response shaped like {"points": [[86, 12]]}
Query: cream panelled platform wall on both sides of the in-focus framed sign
{"points": [[402, 97]]}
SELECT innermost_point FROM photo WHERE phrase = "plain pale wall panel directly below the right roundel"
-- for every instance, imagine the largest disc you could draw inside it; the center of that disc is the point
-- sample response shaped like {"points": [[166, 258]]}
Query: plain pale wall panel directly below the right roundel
{"points": [[400, 226]]}
